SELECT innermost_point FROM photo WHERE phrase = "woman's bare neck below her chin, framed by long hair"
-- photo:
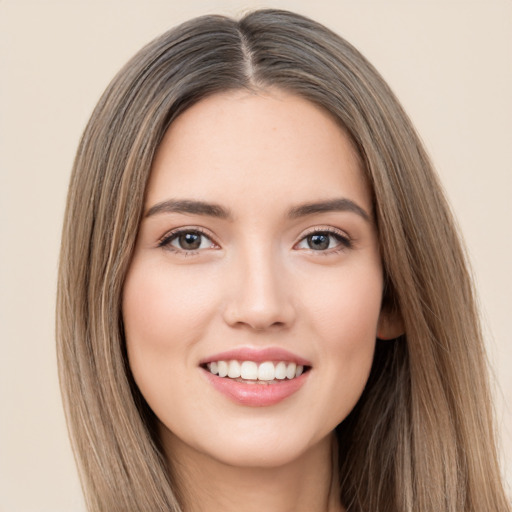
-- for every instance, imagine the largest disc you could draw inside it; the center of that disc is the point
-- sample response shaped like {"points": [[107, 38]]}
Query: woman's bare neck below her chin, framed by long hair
{"points": [[307, 484]]}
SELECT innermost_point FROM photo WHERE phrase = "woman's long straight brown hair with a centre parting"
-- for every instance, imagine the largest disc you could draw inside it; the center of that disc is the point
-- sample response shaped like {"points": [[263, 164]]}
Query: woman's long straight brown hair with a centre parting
{"points": [[421, 436]]}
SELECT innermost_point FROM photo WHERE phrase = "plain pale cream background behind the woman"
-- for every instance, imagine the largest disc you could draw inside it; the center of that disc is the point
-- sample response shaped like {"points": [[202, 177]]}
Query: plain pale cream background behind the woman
{"points": [[450, 62]]}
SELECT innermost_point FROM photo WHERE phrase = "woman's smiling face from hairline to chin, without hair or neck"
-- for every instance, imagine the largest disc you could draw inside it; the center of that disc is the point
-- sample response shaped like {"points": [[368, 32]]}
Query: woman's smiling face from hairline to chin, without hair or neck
{"points": [[252, 304]]}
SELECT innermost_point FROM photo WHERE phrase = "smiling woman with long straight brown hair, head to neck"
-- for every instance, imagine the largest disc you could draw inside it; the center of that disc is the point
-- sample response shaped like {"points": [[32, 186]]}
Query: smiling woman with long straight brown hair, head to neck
{"points": [[250, 209]]}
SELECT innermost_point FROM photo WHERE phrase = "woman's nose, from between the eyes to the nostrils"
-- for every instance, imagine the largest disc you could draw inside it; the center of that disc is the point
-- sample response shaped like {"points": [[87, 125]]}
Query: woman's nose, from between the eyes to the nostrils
{"points": [[259, 294]]}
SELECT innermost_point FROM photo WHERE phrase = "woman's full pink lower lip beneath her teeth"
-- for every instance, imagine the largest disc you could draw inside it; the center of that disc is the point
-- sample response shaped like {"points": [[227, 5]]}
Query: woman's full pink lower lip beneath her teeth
{"points": [[256, 395]]}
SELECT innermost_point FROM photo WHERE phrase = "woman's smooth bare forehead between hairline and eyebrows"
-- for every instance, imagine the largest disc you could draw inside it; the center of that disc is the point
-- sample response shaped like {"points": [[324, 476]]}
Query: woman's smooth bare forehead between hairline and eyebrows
{"points": [[263, 146]]}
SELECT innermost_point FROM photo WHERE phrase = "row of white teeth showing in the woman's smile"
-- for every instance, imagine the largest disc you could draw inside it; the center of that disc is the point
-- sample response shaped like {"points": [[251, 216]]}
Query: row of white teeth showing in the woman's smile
{"points": [[249, 370]]}
